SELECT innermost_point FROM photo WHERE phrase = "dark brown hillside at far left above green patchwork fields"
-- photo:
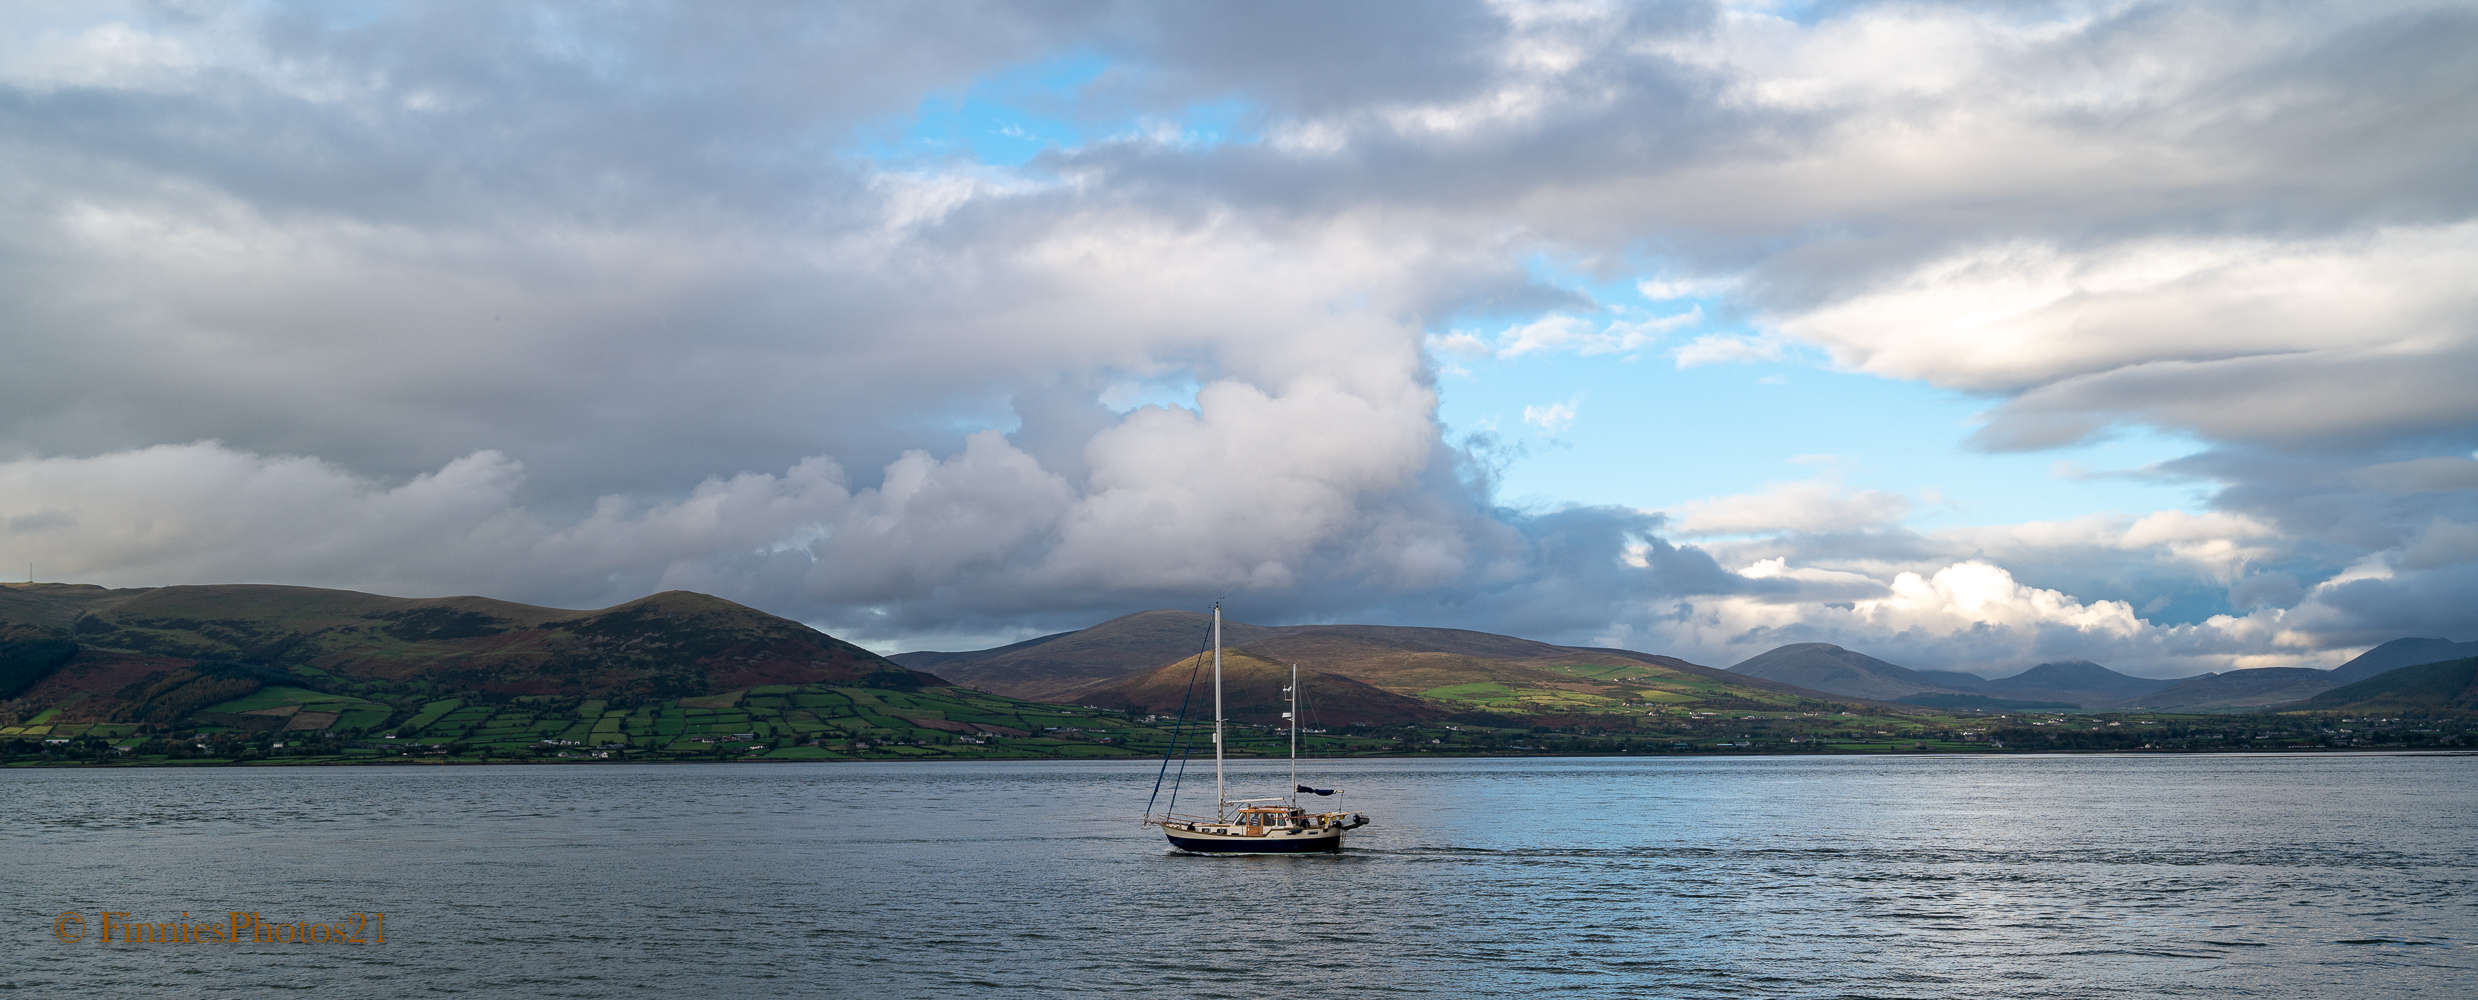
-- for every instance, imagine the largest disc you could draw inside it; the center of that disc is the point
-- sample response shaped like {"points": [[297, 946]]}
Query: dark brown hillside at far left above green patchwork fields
{"points": [[658, 647]]}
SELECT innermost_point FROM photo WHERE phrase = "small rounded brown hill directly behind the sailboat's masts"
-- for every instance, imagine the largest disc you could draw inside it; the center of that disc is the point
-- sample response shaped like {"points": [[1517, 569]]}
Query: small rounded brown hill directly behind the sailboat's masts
{"points": [[1250, 694]]}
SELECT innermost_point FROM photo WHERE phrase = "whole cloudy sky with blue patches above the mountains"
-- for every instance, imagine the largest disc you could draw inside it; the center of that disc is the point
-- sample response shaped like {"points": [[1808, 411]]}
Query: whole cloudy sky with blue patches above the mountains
{"points": [[1961, 335]]}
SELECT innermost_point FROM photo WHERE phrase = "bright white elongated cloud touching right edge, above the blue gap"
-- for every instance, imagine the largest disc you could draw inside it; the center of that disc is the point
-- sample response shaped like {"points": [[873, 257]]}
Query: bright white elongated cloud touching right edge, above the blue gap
{"points": [[2026, 313]]}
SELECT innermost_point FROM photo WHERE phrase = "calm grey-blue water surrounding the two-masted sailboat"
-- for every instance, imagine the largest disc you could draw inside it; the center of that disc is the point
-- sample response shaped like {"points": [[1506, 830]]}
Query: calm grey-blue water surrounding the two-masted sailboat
{"points": [[1919, 877]]}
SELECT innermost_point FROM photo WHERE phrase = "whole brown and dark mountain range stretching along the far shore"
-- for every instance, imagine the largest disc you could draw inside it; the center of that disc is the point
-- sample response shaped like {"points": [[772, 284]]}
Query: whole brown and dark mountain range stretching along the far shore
{"points": [[167, 655]]}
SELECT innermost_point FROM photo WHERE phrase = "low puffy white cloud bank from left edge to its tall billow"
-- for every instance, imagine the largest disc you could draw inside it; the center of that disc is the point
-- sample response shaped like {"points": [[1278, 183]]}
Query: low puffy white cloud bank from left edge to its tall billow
{"points": [[1243, 496]]}
